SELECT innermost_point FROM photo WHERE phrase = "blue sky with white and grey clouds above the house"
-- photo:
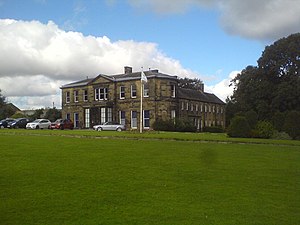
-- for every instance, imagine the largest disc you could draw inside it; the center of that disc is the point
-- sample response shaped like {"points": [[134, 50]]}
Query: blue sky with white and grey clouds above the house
{"points": [[45, 44]]}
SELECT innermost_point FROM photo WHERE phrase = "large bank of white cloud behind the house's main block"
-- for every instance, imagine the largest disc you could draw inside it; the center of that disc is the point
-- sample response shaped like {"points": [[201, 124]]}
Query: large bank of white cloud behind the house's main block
{"points": [[36, 59]]}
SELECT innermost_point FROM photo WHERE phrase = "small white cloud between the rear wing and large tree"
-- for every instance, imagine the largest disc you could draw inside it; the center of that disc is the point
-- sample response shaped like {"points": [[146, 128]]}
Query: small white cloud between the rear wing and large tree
{"points": [[223, 88]]}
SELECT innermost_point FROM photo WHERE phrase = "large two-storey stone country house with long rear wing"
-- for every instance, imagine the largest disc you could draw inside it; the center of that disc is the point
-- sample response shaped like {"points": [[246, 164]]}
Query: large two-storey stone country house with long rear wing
{"points": [[117, 98]]}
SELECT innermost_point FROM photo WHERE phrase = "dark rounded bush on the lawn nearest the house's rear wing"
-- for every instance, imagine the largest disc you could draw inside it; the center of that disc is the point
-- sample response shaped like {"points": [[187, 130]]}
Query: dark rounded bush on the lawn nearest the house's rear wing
{"points": [[239, 127]]}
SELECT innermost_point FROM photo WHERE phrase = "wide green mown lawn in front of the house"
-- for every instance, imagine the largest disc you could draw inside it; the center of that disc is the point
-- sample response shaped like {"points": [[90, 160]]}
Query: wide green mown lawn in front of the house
{"points": [[73, 177]]}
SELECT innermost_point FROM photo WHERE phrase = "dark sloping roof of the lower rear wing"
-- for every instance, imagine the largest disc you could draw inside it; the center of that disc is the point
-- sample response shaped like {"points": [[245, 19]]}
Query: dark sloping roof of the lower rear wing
{"points": [[198, 96]]}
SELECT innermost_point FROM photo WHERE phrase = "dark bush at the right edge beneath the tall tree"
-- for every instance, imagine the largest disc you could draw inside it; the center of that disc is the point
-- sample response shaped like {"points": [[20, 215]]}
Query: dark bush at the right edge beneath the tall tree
{"points": [[292, 124]]}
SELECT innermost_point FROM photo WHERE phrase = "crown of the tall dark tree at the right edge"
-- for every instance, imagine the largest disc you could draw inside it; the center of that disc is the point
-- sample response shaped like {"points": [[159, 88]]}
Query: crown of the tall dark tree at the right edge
{"points": [[273, 85]]}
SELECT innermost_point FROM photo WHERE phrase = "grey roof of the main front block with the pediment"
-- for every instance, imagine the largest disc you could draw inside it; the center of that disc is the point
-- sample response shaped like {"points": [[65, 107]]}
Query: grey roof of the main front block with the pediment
{"points": [[121, 77]]}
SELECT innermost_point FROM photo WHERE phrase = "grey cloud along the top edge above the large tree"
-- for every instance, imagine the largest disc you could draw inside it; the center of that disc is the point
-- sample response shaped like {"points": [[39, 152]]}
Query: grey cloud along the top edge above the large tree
{"points": [[265, 20]]}
